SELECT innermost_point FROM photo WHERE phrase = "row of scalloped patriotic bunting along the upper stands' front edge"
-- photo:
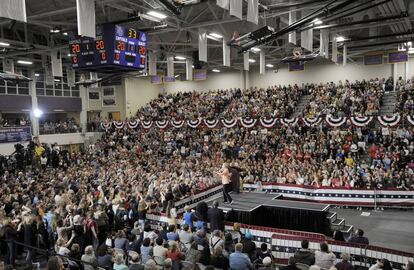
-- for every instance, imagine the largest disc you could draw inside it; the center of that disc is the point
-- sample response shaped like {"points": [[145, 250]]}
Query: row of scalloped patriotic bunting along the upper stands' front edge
{"points": [[358, 121]]}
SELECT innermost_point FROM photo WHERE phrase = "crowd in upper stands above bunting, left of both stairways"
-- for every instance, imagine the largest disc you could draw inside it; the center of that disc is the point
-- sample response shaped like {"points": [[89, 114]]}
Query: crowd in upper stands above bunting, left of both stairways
{"points": [[275, 101]]}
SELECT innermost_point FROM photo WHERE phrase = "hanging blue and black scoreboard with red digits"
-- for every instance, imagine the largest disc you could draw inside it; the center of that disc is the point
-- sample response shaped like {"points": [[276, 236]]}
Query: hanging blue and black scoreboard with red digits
{"points": [[114, 46]]}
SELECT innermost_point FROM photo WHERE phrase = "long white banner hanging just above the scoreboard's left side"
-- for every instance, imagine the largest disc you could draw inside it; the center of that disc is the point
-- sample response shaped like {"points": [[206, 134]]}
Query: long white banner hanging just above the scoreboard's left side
{"points": [[86, 18]]}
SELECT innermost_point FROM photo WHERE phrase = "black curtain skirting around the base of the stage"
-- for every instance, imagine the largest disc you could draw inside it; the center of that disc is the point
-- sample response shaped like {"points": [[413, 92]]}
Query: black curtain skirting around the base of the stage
{"points": [[284, 218]]}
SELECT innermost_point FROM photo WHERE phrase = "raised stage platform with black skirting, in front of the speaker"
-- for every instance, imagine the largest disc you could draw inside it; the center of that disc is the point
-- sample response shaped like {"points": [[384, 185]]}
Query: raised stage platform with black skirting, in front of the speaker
{"points": [[270, 210]]}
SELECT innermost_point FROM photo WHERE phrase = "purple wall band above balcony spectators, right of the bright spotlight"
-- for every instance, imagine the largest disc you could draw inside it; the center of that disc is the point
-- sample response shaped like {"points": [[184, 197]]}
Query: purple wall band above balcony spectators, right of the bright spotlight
{"points": [[48, 104]]}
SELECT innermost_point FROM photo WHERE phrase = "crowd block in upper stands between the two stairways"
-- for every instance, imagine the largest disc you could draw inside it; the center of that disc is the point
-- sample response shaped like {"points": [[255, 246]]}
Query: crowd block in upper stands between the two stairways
{"points": [[346, 98]]}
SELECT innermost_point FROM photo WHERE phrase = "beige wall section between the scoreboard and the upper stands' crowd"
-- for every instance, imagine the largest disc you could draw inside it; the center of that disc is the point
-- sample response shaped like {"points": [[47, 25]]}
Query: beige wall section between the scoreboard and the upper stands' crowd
{"points": [[138, 92]]}
